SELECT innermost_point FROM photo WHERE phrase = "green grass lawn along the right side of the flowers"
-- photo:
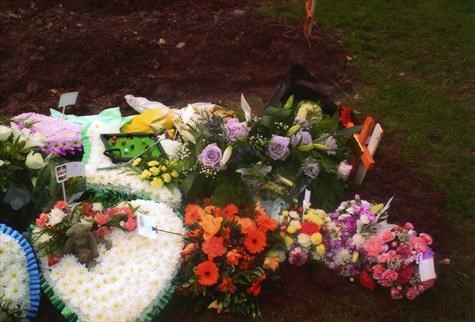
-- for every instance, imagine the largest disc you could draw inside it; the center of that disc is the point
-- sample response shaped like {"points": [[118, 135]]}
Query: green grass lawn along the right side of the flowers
{"points": [[415, 68]]}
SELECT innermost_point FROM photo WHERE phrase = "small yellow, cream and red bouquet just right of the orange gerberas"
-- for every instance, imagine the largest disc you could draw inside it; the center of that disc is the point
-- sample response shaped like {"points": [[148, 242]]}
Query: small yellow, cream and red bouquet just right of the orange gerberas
{"points": [[303, 235]]}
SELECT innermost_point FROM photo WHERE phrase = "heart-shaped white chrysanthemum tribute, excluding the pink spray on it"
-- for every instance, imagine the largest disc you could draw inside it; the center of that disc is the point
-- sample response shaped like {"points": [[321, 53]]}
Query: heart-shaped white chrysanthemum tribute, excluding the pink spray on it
{"points": [[128, 280]]}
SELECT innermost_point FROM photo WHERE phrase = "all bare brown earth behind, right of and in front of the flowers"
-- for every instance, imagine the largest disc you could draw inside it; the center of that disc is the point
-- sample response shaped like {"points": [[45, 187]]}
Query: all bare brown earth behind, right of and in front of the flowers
{"points": [[107, 49]]}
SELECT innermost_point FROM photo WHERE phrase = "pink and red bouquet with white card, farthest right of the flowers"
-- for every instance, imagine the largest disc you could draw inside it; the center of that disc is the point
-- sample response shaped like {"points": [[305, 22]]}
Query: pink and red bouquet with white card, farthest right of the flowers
{"points": [[400, 259]]}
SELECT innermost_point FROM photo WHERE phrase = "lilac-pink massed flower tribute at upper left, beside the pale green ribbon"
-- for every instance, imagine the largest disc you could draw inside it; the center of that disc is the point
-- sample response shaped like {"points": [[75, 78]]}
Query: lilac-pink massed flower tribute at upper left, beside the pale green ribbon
{"points": [[62, 137]]}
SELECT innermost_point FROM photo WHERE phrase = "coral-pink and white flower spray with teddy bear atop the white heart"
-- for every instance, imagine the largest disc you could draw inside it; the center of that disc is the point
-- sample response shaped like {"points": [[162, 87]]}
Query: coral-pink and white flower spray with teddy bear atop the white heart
{"points": [[75, 229]]}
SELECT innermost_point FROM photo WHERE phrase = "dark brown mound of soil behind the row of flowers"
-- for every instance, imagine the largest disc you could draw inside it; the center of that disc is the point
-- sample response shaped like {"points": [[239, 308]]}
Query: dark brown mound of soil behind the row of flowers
{"points": [[213, 51]]}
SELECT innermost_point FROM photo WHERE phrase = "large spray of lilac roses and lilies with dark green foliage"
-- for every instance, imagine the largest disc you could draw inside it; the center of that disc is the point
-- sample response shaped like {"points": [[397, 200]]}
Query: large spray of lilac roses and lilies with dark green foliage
{"points": [[278, 154]]}
